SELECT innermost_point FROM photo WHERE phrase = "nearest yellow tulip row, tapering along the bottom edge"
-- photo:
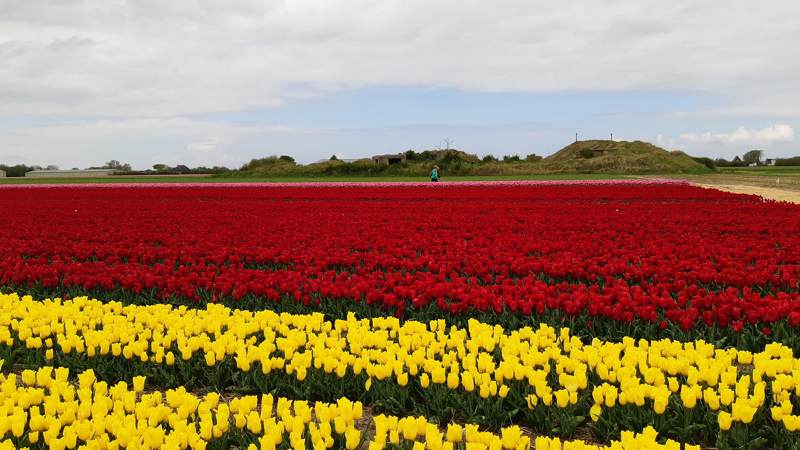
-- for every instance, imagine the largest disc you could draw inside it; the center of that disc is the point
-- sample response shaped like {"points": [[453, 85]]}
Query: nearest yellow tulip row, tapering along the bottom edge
{"points": [[45, 409]]}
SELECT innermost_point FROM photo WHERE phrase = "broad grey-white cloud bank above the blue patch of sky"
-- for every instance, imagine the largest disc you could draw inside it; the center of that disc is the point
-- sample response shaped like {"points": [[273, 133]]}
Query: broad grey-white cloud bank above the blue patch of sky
{"points": [[151, 58]]}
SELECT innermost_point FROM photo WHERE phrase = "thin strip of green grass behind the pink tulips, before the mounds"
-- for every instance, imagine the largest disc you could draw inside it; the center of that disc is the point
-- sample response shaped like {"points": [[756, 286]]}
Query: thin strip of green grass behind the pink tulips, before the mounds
{"points": [[178, 179]]}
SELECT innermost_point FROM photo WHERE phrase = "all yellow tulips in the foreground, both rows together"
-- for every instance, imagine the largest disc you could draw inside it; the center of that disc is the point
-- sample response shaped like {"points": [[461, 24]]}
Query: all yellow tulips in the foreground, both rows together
{"points": [[542, 379]]}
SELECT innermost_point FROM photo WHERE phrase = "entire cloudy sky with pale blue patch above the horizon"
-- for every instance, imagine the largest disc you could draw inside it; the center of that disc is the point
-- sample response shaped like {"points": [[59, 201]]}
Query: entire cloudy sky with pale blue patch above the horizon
{"points": [[205, 82]]}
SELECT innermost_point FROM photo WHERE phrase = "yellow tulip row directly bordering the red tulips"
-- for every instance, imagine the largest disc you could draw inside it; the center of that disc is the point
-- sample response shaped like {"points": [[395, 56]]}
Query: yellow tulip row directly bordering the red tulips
{"points": [[547, 379]]}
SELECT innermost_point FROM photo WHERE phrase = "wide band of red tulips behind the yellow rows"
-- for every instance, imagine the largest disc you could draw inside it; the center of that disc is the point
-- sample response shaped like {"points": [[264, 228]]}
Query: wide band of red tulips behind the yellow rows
{"points": [[651, 257]]}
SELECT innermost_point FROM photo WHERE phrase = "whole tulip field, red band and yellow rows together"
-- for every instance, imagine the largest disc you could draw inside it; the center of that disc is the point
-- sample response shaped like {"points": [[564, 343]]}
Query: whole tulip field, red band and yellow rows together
{"points": [[455, 315]]}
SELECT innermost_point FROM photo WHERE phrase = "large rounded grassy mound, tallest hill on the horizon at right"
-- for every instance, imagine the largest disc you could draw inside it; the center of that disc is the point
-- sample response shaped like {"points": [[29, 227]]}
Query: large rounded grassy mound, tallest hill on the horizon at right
{"points": [[619, 157]]}
